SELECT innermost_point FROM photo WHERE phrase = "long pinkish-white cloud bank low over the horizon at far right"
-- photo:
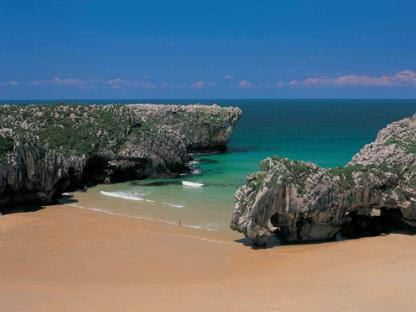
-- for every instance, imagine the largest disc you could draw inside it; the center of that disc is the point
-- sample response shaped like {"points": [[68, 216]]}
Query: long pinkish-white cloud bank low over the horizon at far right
{"points": [[402, 78]]}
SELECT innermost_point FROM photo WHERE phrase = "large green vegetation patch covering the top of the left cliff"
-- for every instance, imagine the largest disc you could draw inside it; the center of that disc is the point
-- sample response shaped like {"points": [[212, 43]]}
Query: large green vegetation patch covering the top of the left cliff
{"points": [[70, 129]]}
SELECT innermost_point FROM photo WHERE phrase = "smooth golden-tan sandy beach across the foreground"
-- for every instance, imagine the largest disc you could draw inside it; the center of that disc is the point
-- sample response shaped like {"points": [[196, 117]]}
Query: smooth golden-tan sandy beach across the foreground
{"points": [[63, 258]]}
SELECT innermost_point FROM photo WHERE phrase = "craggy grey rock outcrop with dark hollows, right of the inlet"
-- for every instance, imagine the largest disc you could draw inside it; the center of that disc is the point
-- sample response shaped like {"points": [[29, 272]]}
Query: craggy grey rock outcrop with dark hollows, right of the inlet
{"points": [[300, 202]]}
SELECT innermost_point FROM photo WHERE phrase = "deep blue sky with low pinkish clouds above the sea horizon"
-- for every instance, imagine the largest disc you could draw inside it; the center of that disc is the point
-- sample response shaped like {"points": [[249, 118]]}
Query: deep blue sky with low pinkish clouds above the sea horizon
{"points": [[207, 49]]}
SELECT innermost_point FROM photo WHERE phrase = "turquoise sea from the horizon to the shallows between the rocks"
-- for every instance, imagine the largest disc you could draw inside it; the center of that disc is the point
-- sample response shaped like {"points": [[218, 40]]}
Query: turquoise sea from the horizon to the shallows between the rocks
{"points": [[327, 132]]}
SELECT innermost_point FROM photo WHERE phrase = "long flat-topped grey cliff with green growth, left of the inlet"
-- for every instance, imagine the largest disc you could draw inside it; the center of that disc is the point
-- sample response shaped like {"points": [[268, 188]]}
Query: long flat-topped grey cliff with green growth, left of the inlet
{"points": [[45, 150]]}
